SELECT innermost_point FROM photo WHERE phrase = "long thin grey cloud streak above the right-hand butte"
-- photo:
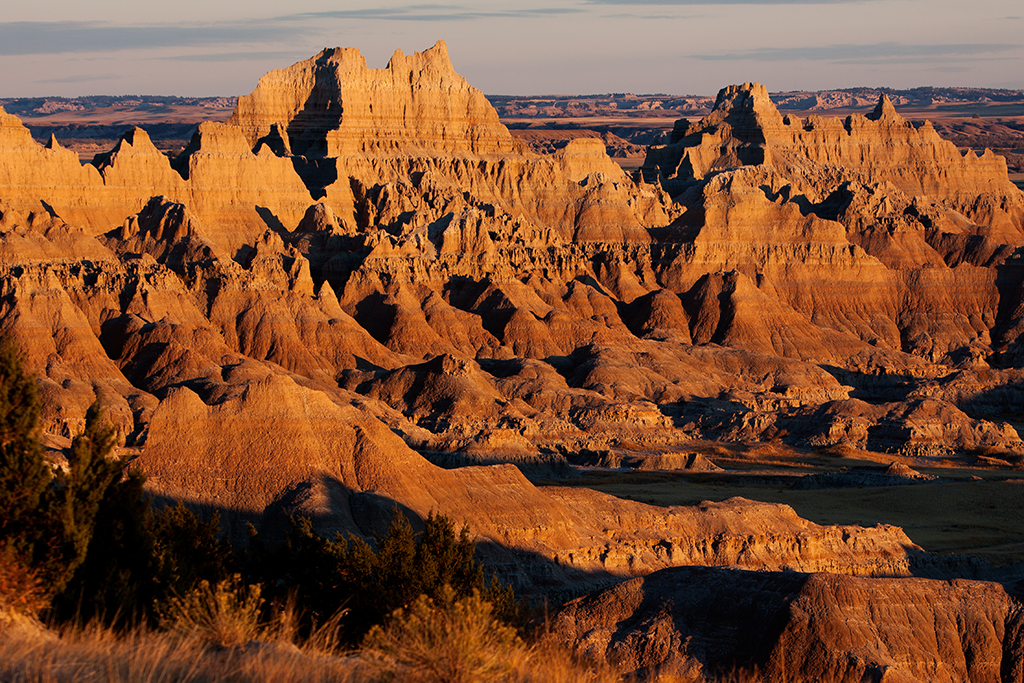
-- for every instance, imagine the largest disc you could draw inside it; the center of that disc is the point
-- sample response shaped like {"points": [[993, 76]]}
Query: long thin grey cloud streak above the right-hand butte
{"points": [[849, 55]]}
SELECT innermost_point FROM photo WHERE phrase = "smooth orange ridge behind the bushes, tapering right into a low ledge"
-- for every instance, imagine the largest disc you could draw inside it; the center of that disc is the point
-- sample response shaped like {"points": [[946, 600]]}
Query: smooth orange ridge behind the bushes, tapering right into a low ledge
{"points": [[343, 466]]}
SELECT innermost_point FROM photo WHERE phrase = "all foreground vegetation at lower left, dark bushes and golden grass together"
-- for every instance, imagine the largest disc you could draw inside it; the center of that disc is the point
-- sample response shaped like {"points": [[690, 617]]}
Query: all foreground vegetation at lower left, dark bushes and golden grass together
{"points": [[165, 599]]}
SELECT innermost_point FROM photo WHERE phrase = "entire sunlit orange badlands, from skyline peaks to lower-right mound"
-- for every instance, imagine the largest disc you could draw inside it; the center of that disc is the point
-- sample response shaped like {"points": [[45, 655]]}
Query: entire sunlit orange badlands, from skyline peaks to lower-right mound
{"points": [[362, 290]]}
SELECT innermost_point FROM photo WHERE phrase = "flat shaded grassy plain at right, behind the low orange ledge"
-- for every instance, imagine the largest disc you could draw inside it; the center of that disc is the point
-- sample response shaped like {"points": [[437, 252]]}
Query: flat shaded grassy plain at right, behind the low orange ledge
{"points": [[977, 511]]}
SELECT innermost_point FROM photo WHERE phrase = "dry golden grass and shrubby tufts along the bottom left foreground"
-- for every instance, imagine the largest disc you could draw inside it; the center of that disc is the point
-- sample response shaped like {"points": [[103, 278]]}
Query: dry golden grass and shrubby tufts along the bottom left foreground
{"points": [[459, 642]]}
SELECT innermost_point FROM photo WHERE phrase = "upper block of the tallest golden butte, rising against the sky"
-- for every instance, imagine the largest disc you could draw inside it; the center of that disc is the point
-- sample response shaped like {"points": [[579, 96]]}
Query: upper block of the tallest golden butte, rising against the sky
{"points": [[333, 106]]}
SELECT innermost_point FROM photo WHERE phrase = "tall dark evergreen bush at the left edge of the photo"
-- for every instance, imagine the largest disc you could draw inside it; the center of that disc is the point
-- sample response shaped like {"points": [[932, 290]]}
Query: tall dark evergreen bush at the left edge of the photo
{"points": [[87, 538]]}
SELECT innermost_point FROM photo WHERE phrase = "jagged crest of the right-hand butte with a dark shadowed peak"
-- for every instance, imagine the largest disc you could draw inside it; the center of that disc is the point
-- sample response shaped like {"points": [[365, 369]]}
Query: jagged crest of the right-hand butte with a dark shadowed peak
{"points": [[746, 129]]}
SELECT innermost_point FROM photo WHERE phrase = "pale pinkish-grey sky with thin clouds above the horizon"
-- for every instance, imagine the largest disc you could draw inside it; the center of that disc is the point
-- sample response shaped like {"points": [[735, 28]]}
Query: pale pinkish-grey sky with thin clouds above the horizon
{"points": [[222, 48]]}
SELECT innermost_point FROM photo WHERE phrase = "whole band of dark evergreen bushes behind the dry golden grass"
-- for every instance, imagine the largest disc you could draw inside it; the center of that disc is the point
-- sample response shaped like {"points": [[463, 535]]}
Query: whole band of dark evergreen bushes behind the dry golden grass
{"points": [[87, 543]]}
